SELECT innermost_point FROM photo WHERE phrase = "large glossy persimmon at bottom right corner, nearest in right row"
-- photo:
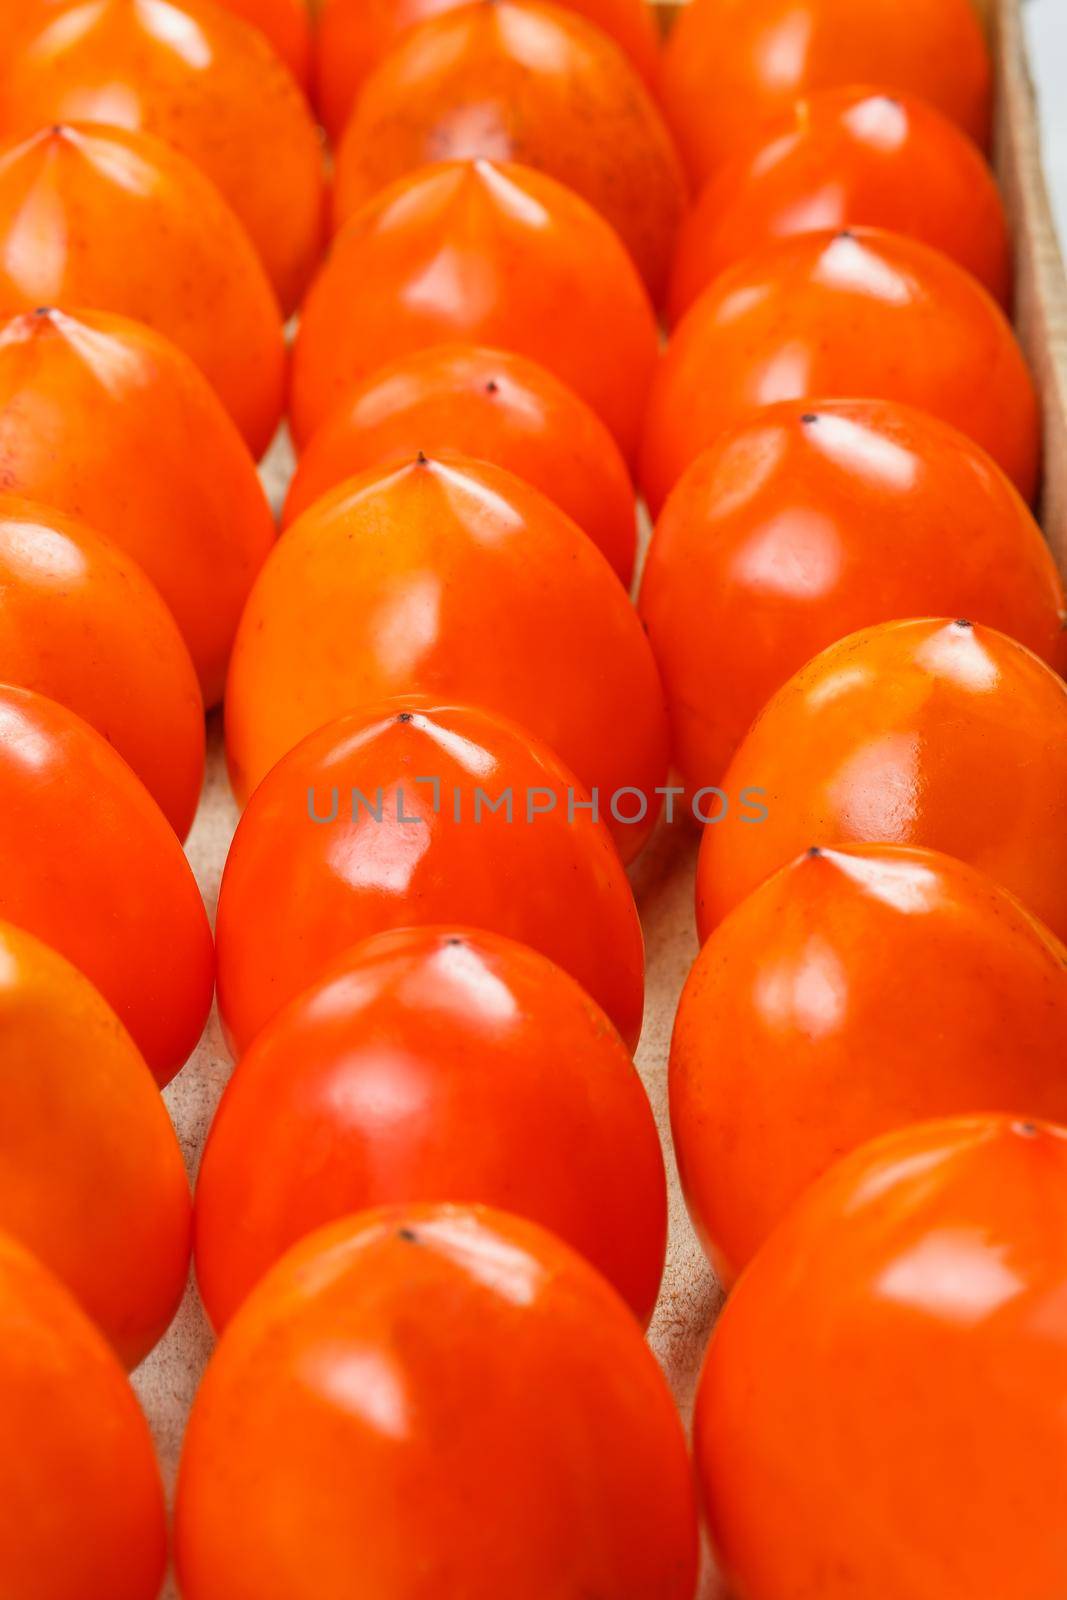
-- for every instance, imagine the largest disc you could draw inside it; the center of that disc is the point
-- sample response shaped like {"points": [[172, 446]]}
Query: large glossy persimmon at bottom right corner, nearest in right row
{"points": [[921, 1282]]}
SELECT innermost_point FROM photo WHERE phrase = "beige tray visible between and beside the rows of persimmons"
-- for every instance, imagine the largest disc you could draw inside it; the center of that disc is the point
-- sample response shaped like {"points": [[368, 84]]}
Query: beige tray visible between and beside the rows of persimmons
{"points": [[665, 876]]}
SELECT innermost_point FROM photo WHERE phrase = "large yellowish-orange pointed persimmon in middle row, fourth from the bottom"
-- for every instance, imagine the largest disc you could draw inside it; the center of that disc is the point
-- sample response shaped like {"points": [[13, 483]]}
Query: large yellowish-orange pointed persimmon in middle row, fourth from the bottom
{"points": [[457, 580]]}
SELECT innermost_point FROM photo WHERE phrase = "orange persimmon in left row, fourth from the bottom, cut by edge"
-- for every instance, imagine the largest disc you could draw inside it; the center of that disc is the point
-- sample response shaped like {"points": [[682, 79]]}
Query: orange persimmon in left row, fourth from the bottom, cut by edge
{"points": [[82, 625]]}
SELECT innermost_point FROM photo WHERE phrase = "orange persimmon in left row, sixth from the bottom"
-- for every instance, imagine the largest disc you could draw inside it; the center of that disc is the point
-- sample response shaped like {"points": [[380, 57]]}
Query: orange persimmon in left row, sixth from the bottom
{"points": [[119, 222]]}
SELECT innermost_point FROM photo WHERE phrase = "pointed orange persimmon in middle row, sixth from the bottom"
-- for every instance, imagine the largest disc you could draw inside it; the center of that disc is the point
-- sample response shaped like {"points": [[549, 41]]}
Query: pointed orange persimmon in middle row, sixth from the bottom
{"points": [[490, 254]]}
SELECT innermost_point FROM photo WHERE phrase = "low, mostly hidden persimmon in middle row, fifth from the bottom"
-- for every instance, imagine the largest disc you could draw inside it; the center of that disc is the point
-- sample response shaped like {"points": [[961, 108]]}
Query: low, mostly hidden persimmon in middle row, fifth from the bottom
{"points": [[492, 406]]}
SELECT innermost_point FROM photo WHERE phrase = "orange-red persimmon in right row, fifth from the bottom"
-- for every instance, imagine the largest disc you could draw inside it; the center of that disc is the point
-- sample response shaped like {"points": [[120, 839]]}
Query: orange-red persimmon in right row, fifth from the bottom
{"points": [[839, 314]]}
